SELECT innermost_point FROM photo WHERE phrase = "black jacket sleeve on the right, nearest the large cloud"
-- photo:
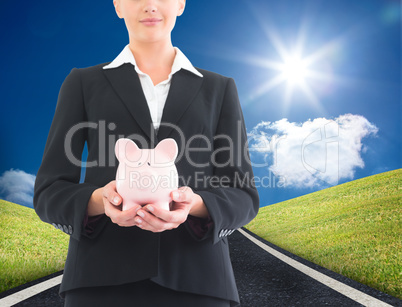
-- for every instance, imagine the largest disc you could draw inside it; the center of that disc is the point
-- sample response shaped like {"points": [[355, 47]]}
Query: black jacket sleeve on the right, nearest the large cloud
{"points": [[232, 198]]}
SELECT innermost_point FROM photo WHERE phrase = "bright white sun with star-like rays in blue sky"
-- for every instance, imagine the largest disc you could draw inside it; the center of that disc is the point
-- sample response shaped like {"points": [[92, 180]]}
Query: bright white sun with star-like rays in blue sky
{"points": [[299, 71]]}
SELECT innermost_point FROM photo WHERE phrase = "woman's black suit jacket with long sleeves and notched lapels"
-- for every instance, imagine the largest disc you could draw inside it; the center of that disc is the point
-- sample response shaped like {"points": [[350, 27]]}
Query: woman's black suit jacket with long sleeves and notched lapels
{"points": [[203, 115]]}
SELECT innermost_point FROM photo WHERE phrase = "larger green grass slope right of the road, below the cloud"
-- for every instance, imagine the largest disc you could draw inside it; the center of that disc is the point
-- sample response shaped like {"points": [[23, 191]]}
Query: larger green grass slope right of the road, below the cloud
{"points": [[353, 229]]}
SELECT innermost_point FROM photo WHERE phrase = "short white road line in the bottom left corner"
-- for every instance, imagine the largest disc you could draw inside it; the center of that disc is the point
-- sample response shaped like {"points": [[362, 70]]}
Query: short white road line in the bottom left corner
{"points": [[28, 292]]}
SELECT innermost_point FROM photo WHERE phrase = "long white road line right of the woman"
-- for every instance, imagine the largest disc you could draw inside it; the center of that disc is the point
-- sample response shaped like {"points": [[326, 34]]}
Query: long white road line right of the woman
{"points": [[356, 295]]}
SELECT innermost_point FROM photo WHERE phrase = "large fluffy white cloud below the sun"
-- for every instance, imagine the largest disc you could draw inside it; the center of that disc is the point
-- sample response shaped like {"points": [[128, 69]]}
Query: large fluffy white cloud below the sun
{"points": [[314, 153]]}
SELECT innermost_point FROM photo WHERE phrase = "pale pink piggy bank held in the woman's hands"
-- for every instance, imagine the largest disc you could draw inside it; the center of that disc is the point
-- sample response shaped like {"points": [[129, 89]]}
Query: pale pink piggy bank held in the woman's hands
{"points": [[146, 176]]}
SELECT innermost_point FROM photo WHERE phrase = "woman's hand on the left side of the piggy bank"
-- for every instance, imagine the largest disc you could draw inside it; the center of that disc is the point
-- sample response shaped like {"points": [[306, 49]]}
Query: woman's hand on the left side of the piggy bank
{"points": [[106, 200]]}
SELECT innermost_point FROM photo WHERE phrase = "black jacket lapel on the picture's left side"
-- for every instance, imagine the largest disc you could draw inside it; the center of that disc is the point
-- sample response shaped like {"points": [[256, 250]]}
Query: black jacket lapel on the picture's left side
{"points": [[126, 83]]}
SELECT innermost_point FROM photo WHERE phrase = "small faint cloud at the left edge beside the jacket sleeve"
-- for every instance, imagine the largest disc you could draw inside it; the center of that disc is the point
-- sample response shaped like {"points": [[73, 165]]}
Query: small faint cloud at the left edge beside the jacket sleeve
{"points": [[17, 186]]}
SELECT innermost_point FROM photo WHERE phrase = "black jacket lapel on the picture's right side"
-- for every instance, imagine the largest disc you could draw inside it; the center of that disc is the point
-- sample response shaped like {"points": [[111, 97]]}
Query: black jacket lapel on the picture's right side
{"points": [[183, 89]]}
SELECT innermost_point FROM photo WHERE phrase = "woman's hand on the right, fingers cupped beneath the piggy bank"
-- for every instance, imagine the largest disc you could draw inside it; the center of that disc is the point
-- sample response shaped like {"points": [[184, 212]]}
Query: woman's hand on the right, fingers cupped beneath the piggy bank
{"points": [[185, 202]]}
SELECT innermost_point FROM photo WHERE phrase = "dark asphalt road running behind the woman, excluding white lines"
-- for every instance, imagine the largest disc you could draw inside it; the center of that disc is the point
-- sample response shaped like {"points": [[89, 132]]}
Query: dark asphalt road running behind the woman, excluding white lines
{"points": [[263, 280]]}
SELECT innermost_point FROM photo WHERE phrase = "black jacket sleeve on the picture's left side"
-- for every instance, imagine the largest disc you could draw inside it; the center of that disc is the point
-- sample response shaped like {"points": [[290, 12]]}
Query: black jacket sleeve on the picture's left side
{"points": [[59, 197]]}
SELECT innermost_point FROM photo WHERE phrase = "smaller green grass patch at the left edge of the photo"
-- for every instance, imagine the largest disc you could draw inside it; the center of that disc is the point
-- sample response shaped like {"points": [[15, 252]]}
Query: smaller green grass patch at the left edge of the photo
{"points": [[29, 248]]}
